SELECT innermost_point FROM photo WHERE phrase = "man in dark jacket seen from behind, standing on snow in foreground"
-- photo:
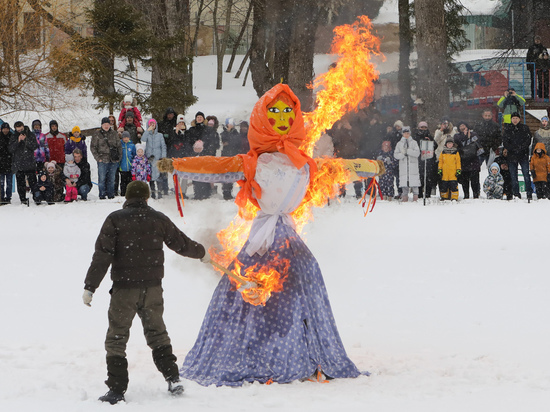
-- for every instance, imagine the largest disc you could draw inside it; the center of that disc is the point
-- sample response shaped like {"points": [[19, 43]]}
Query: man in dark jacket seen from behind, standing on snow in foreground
{"points": [[131, 242]]}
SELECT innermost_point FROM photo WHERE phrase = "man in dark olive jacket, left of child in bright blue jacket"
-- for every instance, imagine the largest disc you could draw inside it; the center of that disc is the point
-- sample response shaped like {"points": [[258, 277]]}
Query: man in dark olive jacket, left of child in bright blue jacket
{"points": [[107, 151]]}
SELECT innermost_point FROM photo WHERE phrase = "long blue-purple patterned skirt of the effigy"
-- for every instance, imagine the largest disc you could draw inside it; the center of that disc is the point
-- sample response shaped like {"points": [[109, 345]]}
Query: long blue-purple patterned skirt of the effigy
{"points": [[290, 338]]}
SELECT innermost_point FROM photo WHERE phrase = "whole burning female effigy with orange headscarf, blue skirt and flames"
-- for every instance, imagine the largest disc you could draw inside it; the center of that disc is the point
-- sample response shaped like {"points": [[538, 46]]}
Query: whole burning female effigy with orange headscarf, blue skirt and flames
{"points": [[270, 319]]}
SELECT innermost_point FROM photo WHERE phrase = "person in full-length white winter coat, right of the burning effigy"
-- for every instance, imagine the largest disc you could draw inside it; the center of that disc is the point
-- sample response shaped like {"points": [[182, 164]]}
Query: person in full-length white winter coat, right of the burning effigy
{"points": [[408, 152]]}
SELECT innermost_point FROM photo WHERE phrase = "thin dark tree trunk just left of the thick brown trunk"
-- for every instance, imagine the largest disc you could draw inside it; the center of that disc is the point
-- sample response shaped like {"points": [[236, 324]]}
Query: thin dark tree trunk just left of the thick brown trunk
{"points": [[404, 75]]}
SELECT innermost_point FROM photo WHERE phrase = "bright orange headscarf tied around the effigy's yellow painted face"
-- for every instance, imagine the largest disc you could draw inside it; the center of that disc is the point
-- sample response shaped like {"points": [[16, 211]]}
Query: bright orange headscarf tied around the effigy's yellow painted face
{"points": [[263, 139]]}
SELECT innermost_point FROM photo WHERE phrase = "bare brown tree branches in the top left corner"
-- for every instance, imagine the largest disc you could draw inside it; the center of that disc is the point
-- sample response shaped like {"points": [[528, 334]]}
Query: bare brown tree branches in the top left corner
{"points": [[29, 59]]}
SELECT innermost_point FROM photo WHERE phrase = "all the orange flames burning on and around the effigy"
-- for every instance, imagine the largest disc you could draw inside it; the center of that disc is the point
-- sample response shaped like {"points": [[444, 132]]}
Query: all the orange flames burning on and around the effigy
{"points": [[342, 89]]}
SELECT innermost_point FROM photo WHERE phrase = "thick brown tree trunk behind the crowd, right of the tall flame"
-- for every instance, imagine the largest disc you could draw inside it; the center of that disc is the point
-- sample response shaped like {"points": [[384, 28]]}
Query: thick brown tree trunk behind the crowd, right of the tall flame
{"points": [[432, 88]]}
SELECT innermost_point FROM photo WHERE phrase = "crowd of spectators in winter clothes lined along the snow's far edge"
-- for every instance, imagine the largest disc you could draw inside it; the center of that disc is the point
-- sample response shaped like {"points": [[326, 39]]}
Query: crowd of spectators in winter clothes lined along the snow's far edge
{"points": [[54, 166]]}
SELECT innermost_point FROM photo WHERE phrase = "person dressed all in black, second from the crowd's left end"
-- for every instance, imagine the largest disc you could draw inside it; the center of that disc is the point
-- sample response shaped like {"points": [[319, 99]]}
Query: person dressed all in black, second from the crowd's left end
{"points": [[22, 146]]}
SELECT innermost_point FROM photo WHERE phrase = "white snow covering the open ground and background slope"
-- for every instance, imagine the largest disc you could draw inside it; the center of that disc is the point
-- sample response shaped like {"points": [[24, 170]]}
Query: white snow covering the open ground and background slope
{"points": [[445, 305]]}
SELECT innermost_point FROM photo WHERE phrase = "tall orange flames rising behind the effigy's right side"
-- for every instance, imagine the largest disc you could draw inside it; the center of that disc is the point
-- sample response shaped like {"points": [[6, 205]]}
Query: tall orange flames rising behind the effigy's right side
{"points": [[343, 88]]}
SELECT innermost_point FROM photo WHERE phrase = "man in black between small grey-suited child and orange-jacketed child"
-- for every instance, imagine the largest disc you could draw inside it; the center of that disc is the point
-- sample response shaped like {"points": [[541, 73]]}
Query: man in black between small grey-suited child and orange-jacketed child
{"points": [[517, 139]]}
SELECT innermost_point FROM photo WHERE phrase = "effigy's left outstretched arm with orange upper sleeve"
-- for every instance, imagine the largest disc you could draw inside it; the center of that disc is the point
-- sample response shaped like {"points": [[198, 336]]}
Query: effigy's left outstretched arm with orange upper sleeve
{"points": [[210, 169]]}
